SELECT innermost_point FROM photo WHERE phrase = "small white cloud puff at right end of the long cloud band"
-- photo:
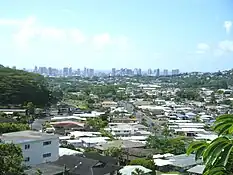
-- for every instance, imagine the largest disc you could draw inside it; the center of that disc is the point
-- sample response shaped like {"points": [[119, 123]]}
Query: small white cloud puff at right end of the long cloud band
{"points": [[102, 40]]}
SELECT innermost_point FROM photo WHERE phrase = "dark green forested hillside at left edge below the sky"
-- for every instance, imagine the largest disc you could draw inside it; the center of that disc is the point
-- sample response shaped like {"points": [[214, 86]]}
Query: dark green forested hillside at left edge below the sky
{"points": [[19, 87]]}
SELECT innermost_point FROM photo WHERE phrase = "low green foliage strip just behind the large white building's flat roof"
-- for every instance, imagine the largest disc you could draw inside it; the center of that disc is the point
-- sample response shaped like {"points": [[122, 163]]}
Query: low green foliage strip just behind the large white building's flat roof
{"points": [[13, 127]]}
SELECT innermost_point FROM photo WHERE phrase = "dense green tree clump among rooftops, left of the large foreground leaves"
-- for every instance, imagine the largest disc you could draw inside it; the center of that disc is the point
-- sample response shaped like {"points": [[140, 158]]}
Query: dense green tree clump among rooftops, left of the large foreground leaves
{"points": [[167, 145]]}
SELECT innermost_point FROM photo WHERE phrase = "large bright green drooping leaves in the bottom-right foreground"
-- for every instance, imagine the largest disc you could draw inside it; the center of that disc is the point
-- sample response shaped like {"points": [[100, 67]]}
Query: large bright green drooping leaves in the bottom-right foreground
{"points": [[215, 154]]}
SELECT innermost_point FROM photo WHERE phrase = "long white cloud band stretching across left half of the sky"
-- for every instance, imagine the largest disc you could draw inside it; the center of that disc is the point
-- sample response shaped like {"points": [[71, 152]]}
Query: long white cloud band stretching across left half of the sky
{"points": [[30, 28]]}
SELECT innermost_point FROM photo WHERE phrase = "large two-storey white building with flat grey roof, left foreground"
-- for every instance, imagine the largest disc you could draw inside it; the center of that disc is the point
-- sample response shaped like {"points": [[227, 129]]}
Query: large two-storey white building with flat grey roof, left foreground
{"points": [[37, 147]]}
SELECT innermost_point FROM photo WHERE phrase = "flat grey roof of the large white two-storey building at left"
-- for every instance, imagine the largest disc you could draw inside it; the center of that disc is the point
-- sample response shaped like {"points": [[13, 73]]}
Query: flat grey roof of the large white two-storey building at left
{"points": [[25, 136]]}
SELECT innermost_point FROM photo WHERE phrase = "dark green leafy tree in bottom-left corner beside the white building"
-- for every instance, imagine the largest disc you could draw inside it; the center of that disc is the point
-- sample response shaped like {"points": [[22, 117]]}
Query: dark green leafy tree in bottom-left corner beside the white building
{"points": [[10, 159]]}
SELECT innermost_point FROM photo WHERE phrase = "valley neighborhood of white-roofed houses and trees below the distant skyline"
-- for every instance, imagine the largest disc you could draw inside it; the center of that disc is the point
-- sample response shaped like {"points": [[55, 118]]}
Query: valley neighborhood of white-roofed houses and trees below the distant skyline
{"points": [[117, 125]]}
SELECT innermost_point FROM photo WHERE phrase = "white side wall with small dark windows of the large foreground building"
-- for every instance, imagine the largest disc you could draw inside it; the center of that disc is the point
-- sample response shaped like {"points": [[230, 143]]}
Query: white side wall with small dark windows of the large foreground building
{"points": [[34, 154]]}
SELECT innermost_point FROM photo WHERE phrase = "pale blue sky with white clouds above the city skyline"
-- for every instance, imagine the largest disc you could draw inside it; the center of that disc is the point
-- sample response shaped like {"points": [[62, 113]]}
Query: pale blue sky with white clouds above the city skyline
{"points": [[192, 35]]}
